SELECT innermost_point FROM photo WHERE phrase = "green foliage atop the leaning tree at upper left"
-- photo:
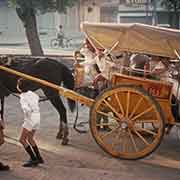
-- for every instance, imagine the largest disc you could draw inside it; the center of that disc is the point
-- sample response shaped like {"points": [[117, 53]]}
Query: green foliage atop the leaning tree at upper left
{"points": [[43, 6]]}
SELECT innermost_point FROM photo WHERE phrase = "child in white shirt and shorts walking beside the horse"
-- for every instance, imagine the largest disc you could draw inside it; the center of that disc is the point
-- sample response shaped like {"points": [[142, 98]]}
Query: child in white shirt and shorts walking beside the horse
{"points": [[30, 105]]}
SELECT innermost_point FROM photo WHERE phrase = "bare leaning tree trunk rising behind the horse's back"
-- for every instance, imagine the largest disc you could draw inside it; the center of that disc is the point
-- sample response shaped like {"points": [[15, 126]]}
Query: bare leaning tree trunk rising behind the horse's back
{"points": [[29, 19]]}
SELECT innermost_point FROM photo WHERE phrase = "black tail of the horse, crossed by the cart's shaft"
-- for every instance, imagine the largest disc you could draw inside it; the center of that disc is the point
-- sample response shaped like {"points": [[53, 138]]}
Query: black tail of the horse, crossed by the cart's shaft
{"points": [[68, 82]]}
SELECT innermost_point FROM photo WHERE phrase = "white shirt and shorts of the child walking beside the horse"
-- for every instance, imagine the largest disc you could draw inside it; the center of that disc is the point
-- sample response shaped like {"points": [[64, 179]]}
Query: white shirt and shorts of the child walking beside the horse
{"points": [[30, 105]]}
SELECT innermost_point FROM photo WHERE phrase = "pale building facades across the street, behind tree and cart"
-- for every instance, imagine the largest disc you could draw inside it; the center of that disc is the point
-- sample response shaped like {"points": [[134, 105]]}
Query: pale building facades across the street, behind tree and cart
{"points": [[117, 11]]}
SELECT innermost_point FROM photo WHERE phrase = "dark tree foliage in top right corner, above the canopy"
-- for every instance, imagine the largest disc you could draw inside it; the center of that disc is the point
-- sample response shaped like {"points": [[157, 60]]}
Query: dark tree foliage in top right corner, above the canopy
{"points": [[174, 6]]}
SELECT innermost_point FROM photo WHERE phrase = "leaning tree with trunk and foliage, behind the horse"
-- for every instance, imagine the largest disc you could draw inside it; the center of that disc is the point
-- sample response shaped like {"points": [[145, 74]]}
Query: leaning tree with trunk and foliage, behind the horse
{"points": [[27, 10]]}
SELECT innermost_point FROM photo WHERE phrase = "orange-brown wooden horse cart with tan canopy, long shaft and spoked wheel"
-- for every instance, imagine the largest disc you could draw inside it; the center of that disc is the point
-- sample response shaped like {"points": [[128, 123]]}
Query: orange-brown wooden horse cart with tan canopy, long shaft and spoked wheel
{"points": [[136, 110]]}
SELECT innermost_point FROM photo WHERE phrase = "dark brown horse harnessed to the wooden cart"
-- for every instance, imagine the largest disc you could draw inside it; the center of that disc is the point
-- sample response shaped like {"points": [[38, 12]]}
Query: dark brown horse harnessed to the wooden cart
{"points": [[43, 68]]}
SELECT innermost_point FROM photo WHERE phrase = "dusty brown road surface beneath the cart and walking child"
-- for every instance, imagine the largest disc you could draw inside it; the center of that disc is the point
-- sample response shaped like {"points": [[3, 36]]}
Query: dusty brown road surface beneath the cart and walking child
{"points": [[82, 159]]}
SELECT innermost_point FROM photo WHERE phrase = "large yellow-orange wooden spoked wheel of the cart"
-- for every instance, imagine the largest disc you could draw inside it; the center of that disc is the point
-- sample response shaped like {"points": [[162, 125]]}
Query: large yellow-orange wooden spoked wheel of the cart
{"points": [[121, 122]]}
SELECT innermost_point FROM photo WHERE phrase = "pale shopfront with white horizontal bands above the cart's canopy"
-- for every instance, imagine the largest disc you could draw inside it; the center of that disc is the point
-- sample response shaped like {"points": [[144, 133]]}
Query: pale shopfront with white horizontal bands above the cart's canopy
{"points": [[143, 11]]}
